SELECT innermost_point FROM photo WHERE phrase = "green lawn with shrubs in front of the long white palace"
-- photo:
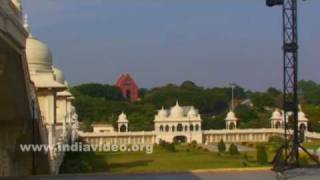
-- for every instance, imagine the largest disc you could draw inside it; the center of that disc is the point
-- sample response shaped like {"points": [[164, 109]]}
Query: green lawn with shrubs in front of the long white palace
{"points": [[161, 160]]}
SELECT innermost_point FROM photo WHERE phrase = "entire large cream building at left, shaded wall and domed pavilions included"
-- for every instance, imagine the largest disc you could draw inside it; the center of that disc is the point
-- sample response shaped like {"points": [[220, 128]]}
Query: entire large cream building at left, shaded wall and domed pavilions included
{"points": [[35, 101]]}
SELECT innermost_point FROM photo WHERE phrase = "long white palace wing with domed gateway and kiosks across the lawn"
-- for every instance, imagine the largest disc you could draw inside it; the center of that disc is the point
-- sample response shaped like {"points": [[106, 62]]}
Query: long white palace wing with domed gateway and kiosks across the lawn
{"points": [[183, 124]]}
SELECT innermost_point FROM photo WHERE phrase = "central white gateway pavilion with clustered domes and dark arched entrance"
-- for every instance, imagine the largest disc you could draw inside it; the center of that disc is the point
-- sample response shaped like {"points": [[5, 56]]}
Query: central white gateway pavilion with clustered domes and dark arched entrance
{"points": [[179, 124]]}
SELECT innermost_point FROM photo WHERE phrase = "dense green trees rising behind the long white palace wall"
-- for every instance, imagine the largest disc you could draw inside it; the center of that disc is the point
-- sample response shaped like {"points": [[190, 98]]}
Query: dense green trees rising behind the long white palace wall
{"points": [[98, 102]]}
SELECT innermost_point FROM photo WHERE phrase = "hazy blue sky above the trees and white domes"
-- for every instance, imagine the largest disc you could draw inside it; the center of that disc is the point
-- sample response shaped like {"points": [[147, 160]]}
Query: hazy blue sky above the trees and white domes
{"points": [[211, 42]]}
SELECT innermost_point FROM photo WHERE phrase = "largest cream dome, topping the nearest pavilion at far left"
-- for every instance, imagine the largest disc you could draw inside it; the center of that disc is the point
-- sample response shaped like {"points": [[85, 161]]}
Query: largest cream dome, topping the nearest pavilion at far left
{"points": [[38, 56]]}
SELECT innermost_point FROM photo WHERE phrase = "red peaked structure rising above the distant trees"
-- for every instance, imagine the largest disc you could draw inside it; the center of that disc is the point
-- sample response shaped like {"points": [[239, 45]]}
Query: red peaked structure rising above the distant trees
{"points": [[128, 87]]}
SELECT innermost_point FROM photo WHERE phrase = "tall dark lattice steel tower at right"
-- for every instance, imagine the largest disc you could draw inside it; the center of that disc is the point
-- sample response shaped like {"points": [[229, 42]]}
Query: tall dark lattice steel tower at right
{"points": [[288, 155]]}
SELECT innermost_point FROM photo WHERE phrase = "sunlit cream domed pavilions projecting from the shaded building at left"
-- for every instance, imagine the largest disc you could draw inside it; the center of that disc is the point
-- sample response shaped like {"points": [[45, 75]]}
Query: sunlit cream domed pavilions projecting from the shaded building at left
{"points": [[54, 99]]}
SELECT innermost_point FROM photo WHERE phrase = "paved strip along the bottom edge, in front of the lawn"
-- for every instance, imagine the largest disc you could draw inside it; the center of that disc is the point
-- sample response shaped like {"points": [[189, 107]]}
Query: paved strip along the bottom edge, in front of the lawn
{"points": [[297, 174]]}
